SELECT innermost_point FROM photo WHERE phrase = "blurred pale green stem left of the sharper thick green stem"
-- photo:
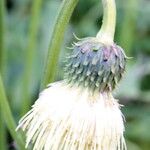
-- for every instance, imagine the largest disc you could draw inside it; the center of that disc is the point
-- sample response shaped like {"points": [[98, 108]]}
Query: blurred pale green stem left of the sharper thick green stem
{"points": [[30, 55]]}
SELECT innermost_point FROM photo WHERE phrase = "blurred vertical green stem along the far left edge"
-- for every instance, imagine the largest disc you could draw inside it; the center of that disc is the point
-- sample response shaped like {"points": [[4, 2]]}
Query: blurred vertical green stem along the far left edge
{"points": [[3, 135]]}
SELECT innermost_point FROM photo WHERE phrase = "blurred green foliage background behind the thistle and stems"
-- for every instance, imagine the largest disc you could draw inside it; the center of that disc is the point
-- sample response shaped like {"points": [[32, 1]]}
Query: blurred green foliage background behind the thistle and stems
{"points": [[132, 33]]}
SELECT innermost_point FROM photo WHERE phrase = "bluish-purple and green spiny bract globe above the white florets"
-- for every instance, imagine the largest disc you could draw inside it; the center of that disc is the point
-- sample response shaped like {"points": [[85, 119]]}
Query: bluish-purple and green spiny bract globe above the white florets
{"points": [[95, 65]]}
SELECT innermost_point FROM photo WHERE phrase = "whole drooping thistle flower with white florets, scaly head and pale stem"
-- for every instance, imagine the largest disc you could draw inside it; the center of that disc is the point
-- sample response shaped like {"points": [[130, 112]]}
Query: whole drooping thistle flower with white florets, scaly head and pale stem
{"points": [[80, 113]]}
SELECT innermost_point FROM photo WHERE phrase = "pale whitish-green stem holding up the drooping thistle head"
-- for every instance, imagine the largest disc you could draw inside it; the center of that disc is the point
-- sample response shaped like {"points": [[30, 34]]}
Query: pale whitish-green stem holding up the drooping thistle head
{"points": [[107, 31]]}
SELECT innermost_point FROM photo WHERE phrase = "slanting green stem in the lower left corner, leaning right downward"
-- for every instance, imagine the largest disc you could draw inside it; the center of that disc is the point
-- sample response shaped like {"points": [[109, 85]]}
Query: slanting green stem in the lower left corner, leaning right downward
{"points": [[7, 115]]}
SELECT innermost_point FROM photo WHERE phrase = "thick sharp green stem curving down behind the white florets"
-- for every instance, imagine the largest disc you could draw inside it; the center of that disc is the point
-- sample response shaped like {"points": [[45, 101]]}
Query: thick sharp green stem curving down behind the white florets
{"points": [[61, 23]]}
